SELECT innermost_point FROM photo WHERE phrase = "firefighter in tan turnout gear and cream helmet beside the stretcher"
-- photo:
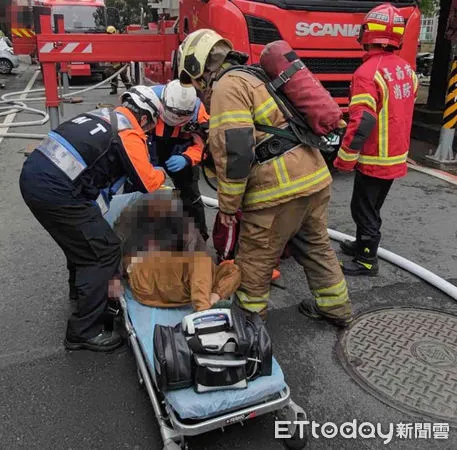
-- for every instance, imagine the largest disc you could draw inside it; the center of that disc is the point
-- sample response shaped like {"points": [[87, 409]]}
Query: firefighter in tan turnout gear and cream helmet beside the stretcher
{"points": [[280, 195]]}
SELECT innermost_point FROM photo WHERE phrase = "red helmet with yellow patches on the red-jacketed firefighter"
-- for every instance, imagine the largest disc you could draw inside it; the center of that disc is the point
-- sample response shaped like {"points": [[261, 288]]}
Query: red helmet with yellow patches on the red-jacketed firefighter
{"points": [[383, 25]]}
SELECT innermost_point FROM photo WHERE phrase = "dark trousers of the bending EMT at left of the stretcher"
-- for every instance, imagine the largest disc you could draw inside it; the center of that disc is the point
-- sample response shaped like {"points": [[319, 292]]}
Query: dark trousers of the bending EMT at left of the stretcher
{"points": [[93, 257]]}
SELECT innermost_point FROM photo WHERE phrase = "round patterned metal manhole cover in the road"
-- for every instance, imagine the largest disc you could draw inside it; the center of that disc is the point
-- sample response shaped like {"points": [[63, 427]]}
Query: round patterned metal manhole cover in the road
{"points": [[407, 358]]}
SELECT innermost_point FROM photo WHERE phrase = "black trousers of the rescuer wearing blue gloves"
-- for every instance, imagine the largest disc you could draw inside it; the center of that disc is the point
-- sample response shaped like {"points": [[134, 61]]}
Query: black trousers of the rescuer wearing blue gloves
{"points": [[186, 181]]}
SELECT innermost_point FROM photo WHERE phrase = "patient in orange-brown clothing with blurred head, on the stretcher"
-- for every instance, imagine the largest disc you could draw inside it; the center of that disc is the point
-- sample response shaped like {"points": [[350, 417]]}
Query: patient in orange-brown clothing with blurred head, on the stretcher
{"points": [[166, 261]]}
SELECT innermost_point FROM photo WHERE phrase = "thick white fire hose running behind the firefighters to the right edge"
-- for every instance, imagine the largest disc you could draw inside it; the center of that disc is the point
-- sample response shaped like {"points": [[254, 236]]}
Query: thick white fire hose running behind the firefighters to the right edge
{"points": [[405, 264]]}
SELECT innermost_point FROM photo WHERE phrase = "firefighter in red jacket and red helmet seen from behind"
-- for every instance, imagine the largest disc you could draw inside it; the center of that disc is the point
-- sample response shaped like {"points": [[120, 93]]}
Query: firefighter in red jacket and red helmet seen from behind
{"points": [[377, 139]]}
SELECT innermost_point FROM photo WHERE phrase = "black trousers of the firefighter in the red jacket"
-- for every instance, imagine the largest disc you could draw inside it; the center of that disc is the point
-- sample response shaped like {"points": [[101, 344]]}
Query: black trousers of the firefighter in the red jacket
{"points": [[368, 197]]}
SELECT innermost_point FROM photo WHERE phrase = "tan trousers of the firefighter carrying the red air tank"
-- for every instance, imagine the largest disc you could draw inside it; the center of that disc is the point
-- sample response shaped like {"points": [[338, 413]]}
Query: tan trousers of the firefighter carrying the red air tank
{"points": [[263, 236]]}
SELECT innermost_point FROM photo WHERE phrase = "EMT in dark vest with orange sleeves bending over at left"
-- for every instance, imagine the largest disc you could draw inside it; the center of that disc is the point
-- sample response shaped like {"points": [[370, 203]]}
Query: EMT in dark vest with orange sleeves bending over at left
{"points": [[67, 182]]}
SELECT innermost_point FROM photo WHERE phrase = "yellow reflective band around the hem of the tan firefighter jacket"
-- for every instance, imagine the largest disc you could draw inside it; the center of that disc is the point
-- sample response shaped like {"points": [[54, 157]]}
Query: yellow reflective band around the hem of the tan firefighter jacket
{"points": [[291, 188]]}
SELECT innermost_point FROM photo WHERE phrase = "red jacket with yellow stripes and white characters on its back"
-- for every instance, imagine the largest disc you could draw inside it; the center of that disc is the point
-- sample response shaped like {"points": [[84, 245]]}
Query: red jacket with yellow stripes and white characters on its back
{"points": [[377, 139]]}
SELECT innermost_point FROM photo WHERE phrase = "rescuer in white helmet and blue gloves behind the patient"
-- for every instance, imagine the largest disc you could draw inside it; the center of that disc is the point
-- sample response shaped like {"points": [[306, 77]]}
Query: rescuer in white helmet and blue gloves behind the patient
{"points": [[177, 144]]}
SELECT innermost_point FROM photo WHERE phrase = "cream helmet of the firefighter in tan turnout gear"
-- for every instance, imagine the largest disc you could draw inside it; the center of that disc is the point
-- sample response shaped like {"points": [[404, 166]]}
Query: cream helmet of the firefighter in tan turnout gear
{"points": [[203, 50]]}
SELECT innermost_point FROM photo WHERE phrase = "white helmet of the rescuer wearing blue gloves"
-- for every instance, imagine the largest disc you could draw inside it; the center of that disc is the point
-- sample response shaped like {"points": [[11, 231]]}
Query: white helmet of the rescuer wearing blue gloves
{"points": [[178, 103]]}
